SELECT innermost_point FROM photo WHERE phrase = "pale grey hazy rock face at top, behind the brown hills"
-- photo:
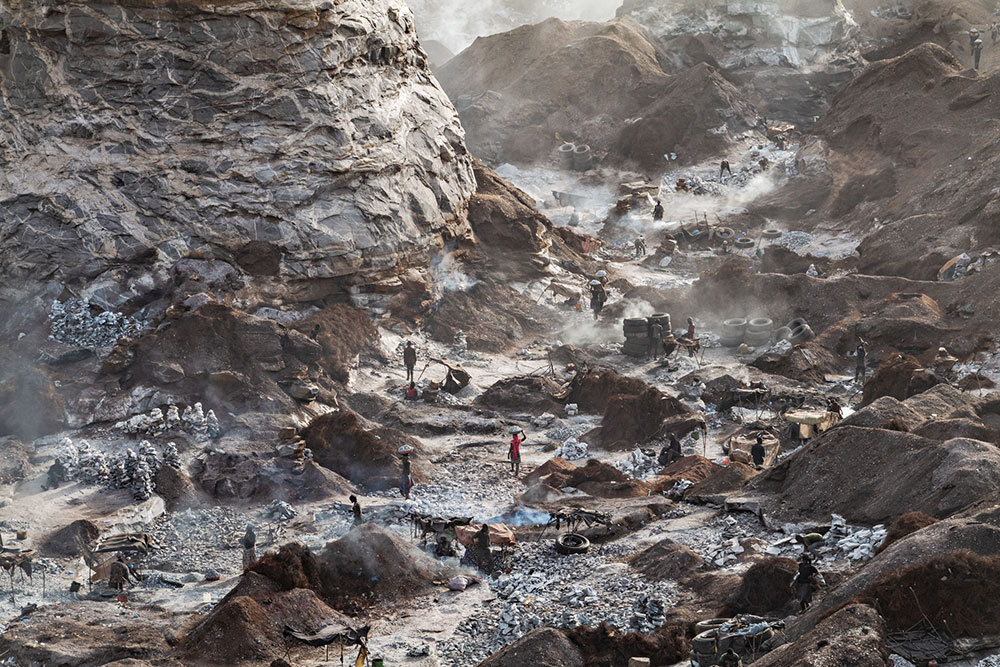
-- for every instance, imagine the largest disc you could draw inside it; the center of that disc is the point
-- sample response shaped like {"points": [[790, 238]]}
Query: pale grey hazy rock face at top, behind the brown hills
{"points": [[789, 56]]}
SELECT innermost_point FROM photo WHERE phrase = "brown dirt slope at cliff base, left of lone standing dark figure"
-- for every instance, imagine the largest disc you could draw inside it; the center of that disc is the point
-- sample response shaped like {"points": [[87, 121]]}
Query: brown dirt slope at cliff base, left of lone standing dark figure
{"points": [[342, 332]]}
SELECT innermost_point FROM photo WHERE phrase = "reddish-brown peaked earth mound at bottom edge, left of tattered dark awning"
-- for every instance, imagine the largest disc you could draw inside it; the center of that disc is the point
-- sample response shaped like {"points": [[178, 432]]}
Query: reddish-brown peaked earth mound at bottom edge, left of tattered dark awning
{"points": [[248, 624]]}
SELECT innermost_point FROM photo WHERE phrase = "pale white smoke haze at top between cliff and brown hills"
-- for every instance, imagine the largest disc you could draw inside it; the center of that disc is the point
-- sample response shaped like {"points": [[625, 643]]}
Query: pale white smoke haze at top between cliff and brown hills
{"points": [[457, 23]]}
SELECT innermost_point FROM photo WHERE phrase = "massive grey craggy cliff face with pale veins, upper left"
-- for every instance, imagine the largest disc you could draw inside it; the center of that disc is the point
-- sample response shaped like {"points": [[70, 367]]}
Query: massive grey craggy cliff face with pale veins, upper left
{"points": [[295, 140]]}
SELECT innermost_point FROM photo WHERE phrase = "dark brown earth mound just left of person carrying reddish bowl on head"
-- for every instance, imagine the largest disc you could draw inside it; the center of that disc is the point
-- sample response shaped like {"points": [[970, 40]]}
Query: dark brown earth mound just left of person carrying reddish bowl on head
{"points": [[344, 443]]}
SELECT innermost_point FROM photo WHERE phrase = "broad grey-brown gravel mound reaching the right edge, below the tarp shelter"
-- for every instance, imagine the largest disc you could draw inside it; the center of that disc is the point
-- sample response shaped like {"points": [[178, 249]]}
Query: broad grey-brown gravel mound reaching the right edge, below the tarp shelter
{"points": [[903, 472]]}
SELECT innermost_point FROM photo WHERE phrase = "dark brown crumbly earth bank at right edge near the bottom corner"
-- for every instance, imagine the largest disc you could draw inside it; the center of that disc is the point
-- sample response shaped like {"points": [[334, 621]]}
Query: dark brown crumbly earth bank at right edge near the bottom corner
{"points": [[958, 591]]}
